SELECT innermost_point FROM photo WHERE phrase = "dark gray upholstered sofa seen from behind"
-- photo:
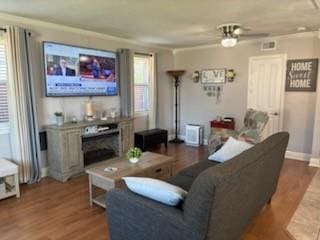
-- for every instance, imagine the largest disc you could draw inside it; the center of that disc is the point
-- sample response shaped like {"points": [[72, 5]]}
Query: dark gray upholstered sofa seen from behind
{"points": [[222, 198]]}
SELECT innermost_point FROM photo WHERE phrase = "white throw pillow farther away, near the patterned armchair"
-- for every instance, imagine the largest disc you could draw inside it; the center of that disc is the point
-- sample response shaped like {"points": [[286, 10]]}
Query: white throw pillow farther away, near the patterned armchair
{"points": [[230, 149]]}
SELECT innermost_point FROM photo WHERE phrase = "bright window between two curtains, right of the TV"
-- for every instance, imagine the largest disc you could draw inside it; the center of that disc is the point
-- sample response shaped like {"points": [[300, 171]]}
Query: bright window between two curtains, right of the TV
{"points": [[141, 83]]}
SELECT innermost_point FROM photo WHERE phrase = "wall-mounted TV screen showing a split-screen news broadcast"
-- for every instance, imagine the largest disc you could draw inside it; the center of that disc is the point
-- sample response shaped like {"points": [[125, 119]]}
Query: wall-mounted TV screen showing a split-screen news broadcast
{"points": [[77, 71]]}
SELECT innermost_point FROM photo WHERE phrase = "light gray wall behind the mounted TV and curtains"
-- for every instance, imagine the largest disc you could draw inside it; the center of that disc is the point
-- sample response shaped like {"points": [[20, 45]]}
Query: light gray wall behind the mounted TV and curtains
{"points": [[75, 106]]}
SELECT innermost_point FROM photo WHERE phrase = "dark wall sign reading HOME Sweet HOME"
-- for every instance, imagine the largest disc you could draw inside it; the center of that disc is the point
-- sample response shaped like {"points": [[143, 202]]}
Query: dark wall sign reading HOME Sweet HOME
{"points": [[302, 75]]}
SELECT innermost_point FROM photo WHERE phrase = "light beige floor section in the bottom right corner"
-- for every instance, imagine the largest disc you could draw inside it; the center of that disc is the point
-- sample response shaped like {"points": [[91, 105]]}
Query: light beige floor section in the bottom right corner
{"points": [[305, 223]]}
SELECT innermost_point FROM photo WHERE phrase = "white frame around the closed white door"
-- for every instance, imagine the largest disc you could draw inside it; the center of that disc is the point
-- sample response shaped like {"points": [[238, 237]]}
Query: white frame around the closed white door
{"points": [[283, 78]]}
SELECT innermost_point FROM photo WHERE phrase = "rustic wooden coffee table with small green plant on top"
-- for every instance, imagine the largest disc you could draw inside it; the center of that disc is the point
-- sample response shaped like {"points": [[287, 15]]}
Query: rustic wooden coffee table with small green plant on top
{"points": [[150, 165]]}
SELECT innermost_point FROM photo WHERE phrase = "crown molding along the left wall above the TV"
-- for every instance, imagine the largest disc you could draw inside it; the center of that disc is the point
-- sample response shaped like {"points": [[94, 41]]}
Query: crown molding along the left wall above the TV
{"points": [[39, 23]]}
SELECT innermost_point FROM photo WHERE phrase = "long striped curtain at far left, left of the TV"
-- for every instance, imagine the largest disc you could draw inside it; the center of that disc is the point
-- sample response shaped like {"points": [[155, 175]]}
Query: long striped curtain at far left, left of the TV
{"points": [[23, 123]]}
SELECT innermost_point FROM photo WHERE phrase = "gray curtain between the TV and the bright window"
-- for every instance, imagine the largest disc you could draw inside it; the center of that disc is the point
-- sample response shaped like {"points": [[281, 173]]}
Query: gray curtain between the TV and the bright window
{"points": [[126, 82]]}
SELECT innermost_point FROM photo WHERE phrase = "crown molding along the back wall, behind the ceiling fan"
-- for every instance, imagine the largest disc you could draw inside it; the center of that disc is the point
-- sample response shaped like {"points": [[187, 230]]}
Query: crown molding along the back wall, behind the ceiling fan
{"points": [[280, 37]]}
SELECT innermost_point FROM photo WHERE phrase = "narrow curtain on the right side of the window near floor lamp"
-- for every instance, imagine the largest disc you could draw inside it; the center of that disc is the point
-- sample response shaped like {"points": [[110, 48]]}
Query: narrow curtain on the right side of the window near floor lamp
{"points": [[153, 93]]}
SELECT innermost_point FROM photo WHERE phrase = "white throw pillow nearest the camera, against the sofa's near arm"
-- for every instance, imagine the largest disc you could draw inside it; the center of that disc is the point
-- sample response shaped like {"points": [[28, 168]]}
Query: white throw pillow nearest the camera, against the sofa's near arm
{"points": [[156, 189]]}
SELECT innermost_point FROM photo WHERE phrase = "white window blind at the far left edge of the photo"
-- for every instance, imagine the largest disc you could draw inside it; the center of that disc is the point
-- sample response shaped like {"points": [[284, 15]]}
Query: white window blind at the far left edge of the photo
{"points": [[4, 111]]}
